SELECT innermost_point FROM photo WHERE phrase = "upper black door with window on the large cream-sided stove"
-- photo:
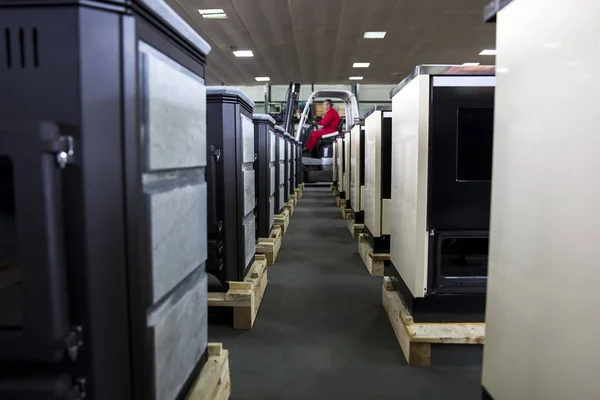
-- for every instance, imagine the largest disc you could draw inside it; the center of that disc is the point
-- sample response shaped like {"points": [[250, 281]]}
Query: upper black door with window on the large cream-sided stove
{"points": [[460, 153]]}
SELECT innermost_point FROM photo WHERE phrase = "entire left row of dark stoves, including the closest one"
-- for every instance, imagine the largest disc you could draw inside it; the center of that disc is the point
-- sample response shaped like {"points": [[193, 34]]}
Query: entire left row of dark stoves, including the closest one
{"points": [[125, 186]]}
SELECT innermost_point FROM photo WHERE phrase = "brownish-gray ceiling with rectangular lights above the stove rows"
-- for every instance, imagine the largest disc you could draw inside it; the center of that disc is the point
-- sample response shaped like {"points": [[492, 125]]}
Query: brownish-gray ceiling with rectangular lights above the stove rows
{"points": [[316, 41]]}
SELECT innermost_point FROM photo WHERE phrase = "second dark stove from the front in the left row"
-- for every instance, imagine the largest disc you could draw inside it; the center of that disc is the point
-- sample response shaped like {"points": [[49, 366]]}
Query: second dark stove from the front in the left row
{"points": [[232, 197]]}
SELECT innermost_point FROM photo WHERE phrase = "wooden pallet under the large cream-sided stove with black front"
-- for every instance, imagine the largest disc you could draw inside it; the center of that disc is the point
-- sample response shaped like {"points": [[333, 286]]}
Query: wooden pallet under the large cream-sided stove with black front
{"points": [[416, 338]]}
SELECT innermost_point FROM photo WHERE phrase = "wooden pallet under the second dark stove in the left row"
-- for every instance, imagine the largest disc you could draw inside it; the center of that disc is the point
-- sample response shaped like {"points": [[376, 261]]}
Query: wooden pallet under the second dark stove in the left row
{"points": [[245, 297]]}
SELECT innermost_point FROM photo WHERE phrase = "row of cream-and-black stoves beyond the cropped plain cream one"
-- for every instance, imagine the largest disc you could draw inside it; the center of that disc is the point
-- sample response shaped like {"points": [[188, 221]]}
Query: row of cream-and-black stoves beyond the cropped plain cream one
{"points": [[418, 176]]}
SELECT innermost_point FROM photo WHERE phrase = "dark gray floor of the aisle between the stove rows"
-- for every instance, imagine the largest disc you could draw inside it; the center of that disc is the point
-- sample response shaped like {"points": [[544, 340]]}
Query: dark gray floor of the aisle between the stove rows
{"points": [[322, 333]]}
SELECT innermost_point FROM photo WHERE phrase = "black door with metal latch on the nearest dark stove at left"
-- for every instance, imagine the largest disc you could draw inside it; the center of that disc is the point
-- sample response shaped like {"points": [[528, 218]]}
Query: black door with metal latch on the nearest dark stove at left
{"points": [[34, 320]]}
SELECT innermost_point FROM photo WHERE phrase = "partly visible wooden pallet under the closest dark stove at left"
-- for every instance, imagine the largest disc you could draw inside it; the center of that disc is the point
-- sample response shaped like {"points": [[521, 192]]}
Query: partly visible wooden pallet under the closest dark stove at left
{"points": [[214, 381]]}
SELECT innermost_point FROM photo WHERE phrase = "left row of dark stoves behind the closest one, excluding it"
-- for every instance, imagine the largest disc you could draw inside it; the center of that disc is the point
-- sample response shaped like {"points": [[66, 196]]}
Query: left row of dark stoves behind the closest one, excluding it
{"points": [[253, 167]]}
